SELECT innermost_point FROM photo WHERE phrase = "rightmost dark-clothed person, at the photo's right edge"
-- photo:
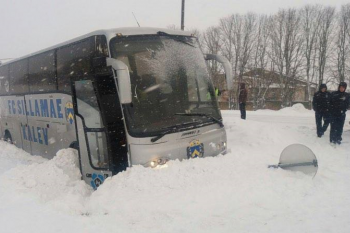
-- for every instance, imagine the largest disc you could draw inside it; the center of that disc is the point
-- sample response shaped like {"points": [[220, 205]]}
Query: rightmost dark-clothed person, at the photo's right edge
{"points": [[339, 104]]}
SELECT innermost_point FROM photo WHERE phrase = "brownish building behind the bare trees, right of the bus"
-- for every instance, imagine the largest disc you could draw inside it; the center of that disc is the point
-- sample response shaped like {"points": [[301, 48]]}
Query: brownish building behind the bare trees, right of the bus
{"points": [[265, 90]]}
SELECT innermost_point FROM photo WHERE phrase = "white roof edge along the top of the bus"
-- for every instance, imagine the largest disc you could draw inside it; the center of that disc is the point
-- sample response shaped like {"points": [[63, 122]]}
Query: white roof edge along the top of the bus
{"points": [[109, 33]]}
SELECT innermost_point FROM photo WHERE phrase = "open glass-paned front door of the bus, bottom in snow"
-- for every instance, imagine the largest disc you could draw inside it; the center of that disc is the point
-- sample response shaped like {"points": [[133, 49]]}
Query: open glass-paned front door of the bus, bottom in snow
{"points": [[91, 134]]}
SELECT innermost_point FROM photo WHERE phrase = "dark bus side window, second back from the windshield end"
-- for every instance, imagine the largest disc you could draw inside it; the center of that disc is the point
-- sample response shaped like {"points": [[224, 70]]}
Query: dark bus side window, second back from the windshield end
{"points": [[42, 72]]}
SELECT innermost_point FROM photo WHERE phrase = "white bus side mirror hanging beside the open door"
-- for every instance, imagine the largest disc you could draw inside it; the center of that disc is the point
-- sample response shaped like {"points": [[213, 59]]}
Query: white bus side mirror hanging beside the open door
{"points": [[123, 79]]}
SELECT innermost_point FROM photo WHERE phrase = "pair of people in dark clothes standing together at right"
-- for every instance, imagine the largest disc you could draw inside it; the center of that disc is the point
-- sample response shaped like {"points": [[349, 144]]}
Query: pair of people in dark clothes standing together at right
{"points": [[330, 108]]}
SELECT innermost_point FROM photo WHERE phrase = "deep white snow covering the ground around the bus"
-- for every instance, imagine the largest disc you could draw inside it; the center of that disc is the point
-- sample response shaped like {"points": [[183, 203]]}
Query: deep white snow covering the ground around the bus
{"points": [[231, 193]]}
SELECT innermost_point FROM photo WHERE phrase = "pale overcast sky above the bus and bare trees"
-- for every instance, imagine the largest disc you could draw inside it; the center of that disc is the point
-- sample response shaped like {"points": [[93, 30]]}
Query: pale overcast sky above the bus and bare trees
{"points": [[30, 25]]}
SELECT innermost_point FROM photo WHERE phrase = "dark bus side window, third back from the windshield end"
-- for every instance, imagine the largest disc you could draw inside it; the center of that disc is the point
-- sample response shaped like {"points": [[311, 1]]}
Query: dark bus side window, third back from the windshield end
{"points": [[19, 77]]}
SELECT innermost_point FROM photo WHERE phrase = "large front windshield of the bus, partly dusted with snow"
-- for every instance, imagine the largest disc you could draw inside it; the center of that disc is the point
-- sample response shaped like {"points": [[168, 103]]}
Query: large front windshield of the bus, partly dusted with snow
{"points": [[170, 83]]}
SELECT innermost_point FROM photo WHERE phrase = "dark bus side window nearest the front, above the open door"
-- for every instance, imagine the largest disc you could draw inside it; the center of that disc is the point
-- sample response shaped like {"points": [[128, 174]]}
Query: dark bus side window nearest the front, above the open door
{"points": [[74, 61]]}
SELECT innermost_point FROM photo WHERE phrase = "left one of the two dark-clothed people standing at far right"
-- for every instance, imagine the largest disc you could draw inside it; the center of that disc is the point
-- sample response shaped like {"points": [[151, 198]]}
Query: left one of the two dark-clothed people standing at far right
{"points": [[321, 105]]}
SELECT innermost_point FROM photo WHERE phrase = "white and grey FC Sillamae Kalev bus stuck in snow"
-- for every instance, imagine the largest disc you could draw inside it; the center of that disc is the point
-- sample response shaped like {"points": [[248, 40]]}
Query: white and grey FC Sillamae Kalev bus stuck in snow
{"points": [[121, 97]]}
